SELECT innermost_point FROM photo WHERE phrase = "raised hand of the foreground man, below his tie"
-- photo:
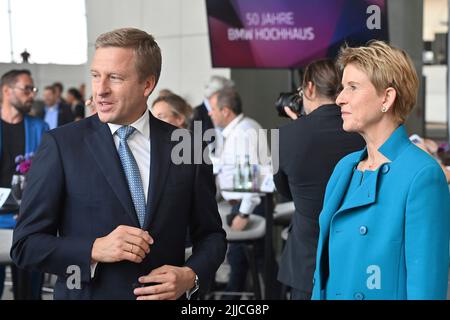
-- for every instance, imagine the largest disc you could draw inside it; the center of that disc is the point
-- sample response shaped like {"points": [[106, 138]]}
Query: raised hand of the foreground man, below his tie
{"points": [[124, 243]]}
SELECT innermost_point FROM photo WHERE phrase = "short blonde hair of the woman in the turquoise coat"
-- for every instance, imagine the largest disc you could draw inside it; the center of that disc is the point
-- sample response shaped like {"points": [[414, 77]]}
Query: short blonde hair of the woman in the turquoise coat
{"points": [[386, 67]]}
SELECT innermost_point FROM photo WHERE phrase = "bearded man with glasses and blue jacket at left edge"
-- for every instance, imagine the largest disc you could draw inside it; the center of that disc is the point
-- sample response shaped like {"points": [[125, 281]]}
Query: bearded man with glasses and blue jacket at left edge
{"points": [[19, 134]]}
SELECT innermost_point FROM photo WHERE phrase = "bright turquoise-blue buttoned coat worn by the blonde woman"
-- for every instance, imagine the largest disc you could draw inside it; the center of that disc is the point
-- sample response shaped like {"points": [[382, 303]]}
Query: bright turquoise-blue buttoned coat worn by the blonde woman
{"points": [[390, 239]]}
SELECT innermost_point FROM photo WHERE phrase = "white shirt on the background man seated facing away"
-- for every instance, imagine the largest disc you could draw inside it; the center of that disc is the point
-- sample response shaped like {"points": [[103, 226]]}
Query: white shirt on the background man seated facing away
{"points": [[241, 138]]}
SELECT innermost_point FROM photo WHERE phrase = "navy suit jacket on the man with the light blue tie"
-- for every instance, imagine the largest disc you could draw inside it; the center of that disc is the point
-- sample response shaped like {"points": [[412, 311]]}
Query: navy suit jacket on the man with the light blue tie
{"points": [[77, 192]]}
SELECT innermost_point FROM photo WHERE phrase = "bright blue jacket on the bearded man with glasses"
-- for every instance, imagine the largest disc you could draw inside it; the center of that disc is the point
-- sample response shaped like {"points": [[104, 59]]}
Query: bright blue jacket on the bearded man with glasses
{"points": [[34, 129]]}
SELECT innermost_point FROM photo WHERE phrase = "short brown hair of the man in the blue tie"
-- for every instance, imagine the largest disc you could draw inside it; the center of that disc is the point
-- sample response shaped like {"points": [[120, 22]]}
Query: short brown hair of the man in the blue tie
{"points": [[147, 51]]}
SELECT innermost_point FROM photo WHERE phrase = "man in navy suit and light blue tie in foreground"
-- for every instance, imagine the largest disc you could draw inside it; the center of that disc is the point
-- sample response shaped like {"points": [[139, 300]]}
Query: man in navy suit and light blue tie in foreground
{"points": [[105, 207]]}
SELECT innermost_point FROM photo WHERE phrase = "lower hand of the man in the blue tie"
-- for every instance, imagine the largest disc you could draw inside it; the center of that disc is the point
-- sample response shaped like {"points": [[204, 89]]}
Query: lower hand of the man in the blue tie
{"points": [[171, 281]]}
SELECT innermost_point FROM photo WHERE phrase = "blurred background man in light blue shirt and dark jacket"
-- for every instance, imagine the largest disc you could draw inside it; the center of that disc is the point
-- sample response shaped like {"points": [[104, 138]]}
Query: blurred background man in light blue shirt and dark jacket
{"points": [[55, 112]]}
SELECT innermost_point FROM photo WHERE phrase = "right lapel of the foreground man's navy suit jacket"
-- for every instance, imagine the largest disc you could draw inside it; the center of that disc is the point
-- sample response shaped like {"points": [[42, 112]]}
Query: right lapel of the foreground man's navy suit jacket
{"points": [[160, 150]]}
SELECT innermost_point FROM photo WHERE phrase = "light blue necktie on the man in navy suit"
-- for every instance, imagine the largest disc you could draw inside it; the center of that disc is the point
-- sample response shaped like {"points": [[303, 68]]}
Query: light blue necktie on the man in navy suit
{"points": [[132, 172]]}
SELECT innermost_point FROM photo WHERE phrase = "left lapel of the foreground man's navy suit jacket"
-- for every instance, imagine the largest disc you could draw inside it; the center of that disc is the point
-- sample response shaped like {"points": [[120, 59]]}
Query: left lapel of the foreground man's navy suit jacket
{"points": [[103, 149]]}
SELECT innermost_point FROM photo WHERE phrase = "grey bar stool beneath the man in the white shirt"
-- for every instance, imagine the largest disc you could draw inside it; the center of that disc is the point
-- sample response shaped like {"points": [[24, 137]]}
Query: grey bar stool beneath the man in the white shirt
{"points": [[255, 230]]}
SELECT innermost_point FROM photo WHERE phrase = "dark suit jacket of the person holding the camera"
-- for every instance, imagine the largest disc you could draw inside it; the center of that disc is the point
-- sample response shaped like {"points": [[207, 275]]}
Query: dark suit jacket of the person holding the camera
{"points": [[310, 147]]}
